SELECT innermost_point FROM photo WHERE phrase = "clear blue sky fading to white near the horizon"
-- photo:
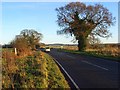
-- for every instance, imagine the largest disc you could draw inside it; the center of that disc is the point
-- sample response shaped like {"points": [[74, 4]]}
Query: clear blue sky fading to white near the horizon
{"points": [[41, 16]]}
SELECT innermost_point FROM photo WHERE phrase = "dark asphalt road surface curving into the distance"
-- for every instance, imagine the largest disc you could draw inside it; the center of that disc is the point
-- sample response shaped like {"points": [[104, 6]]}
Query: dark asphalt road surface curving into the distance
{"points": [[89, 72]]}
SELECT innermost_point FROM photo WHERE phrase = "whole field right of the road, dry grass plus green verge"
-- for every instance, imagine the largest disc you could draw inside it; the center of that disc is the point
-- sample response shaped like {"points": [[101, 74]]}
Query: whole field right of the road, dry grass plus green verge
{"points": [[106, 51]]}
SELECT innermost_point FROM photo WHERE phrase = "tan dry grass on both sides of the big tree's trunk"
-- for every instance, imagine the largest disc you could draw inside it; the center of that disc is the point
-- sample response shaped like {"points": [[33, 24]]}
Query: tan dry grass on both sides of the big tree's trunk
{"points": [[100, 50]]}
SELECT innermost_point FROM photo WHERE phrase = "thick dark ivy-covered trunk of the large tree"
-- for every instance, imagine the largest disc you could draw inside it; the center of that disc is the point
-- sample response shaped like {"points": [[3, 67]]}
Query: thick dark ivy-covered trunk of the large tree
{"points": [[81, 44]]}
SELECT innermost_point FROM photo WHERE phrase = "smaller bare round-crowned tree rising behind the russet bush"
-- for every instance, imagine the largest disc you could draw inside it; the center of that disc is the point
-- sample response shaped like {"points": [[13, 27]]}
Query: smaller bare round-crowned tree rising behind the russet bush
{"points": [[33, 37]]}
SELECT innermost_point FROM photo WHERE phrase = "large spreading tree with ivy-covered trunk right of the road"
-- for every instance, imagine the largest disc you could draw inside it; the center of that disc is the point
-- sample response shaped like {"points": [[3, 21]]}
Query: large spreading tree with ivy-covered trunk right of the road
{"points": [[81, 21]]}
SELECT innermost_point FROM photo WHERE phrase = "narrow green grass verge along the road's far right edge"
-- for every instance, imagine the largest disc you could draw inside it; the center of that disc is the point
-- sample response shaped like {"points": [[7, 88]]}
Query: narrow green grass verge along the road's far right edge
{"points": [[85, 53]]}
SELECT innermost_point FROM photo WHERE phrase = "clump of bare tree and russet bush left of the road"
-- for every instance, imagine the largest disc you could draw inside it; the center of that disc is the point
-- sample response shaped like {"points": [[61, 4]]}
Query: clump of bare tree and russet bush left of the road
{"points": [[26, 41]]}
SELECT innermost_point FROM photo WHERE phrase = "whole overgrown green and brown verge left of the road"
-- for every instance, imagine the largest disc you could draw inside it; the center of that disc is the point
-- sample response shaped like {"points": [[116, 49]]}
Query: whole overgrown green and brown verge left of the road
{"points": [[34, 71]]}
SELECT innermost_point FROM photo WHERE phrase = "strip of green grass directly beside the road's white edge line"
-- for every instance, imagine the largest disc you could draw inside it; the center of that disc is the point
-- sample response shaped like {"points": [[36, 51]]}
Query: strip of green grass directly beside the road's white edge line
{"points": [[55, 77]]}
